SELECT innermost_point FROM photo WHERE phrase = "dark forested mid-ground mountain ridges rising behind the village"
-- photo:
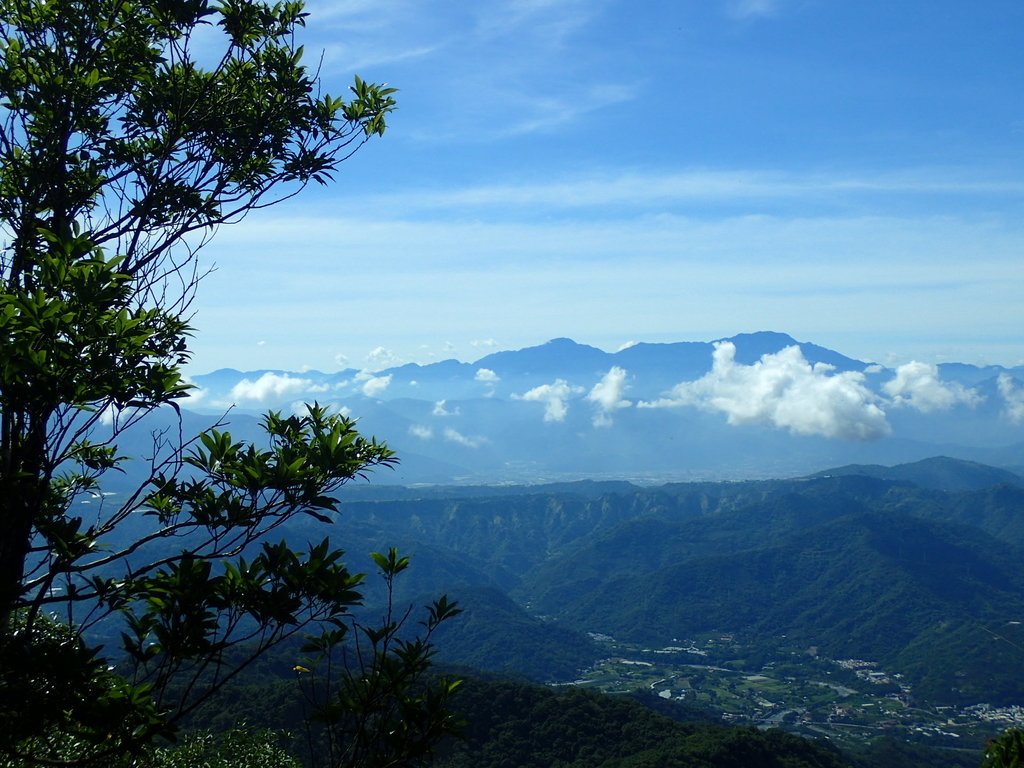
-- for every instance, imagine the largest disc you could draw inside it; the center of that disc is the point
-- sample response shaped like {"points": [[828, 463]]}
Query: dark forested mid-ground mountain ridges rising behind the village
{"points": [[919, 571]]}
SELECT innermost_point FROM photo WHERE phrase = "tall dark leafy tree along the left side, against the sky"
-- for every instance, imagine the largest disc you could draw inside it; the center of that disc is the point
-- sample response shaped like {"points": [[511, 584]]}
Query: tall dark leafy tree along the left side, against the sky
{"points": [[131, 131]]}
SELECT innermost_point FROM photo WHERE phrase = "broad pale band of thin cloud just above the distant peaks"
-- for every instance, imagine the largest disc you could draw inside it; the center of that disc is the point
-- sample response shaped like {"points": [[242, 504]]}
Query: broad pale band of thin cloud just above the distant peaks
{"points": [[894, 279]]}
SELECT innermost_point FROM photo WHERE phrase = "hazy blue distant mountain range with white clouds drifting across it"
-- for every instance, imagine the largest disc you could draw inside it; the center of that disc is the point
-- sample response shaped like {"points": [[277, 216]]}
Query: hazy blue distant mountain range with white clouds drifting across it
{"points": [[764, 405]]}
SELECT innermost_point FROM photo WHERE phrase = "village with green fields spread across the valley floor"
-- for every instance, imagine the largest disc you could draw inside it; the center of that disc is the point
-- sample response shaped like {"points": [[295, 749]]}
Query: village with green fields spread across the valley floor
{"points": [[799, 691]]}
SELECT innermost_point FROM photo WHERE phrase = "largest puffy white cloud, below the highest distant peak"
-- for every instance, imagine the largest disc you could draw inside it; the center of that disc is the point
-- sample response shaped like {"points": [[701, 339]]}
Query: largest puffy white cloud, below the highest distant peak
{"points": [[784, 391]]}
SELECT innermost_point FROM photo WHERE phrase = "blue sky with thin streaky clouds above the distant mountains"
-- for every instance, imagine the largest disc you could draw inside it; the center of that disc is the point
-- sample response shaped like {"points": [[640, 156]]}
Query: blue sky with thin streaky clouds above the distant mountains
{"points": [[848, 173]]}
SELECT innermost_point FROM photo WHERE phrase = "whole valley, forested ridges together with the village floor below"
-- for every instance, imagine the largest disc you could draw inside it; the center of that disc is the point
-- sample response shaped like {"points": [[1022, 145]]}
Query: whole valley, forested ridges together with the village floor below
{"points": [[860, 607]]}
